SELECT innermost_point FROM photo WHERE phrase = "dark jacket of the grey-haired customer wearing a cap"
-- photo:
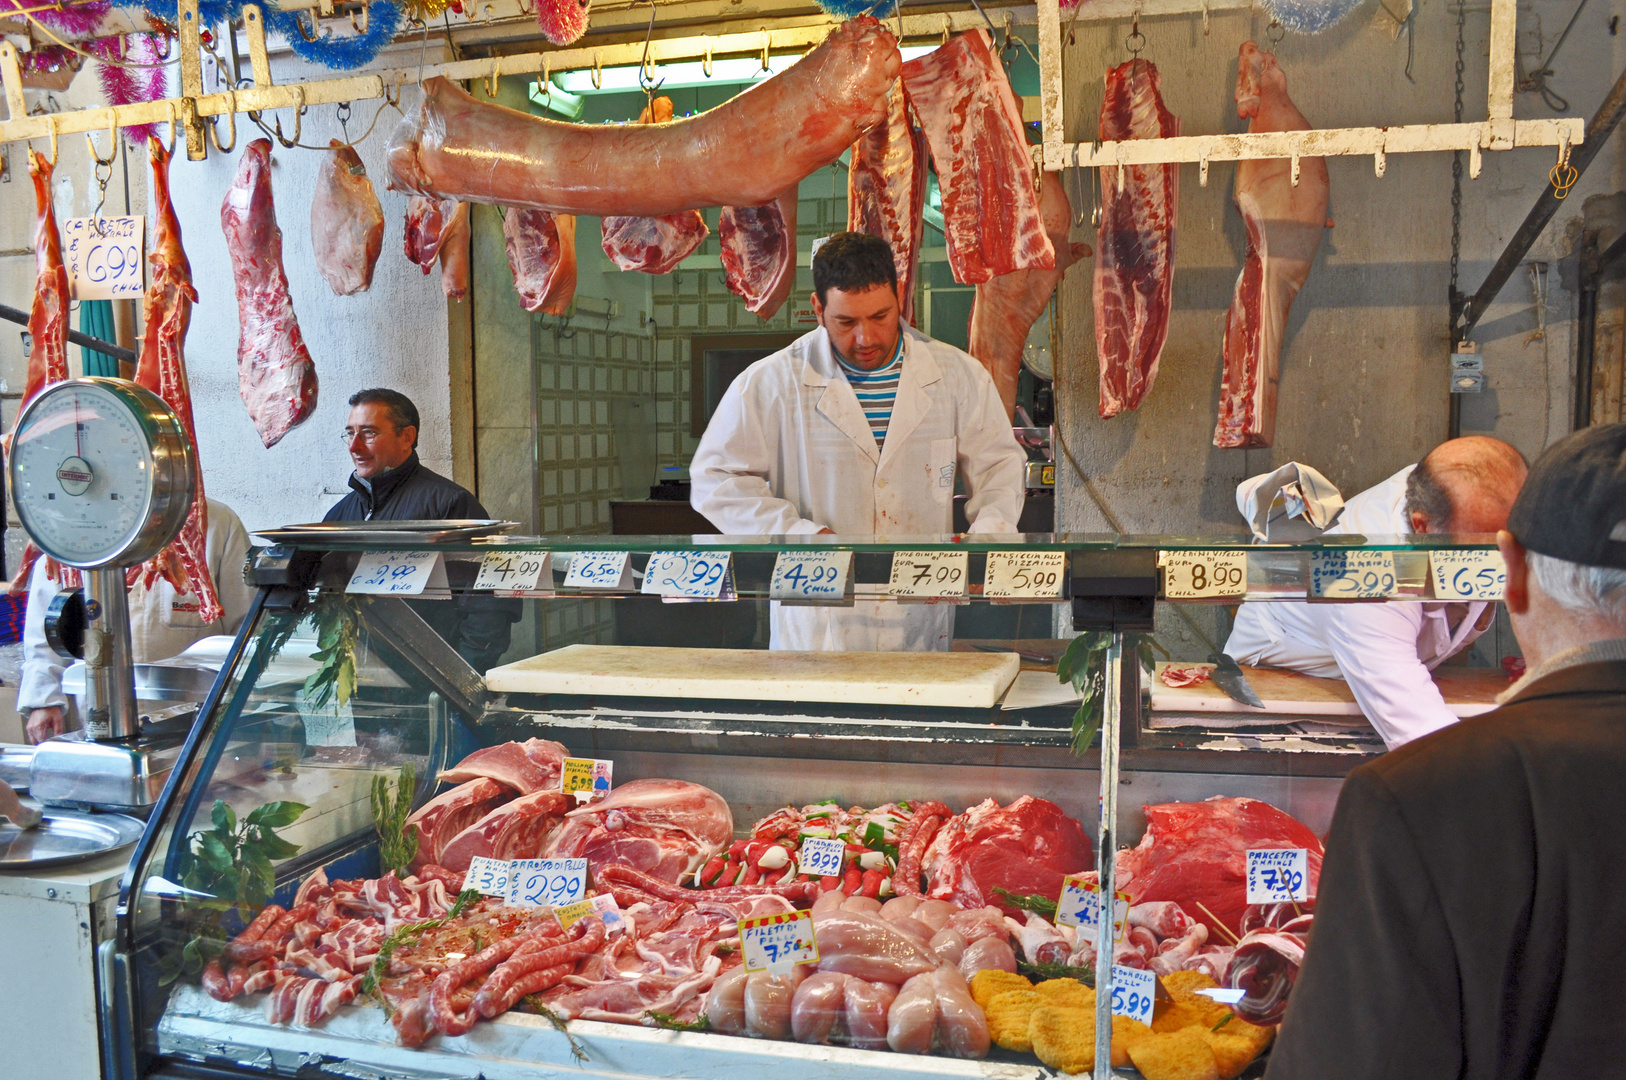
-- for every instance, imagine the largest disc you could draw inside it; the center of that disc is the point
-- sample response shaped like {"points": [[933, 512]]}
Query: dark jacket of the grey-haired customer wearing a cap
{"points": [[1472, 910]]}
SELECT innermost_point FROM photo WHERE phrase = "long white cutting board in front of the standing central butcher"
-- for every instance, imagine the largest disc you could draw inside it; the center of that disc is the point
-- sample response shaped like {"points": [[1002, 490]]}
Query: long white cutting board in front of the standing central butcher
{"points": [[926, 679]]}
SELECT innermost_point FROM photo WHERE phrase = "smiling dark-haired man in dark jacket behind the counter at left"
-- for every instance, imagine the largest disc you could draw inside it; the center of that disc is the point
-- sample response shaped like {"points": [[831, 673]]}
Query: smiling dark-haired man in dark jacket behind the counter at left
{"points": [[391, 484]]}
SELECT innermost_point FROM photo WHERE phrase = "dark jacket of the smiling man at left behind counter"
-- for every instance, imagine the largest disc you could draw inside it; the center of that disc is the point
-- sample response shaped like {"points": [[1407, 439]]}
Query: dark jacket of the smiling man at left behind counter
{"points": [[479, 627]]}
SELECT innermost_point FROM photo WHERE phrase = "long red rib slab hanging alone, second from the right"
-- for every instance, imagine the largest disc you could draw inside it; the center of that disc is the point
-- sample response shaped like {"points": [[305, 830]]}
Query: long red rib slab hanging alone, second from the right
{"points": [[1136, 242]]}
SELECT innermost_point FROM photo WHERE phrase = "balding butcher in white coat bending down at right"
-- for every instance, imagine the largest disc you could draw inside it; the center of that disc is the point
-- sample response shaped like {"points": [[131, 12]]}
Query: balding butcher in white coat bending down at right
{"points": [[1386, 651]]}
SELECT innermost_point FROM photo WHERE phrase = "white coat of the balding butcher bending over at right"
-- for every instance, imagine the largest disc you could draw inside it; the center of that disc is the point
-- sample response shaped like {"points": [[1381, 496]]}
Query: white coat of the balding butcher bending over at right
{"points": [[1385, 651]]}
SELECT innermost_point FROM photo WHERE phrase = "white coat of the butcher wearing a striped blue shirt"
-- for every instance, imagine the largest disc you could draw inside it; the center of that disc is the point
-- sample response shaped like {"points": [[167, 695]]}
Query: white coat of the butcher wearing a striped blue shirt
{"points": [[789, 453]]}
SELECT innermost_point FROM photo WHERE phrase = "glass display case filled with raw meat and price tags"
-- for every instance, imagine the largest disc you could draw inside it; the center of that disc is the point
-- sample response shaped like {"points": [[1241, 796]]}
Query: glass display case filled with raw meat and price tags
{"points": [[267, 931]]}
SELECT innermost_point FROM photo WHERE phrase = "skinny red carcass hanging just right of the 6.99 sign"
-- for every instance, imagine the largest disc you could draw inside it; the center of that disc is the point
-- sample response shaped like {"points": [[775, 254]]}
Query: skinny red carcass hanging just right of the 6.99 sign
{"points": [[167, 313]]}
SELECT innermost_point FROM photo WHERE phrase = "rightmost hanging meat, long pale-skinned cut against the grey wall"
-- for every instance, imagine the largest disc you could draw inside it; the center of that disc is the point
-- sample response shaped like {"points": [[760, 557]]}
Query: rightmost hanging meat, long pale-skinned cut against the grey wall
{"points": [[1285, 224]]}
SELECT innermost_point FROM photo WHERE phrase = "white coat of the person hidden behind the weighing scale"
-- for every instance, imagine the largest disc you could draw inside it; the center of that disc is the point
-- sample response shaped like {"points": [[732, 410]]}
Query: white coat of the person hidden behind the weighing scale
{"points": [[162, 624]]}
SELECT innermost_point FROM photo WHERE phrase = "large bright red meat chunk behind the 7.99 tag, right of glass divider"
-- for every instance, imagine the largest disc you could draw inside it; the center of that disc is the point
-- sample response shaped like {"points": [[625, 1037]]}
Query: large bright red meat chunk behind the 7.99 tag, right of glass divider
{"points": [[1194, 853]]}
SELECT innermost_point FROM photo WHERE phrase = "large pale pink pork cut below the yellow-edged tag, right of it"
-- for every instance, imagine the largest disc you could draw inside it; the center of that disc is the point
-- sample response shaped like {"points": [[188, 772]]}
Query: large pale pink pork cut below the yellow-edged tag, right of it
{"points": [[664, 829]]}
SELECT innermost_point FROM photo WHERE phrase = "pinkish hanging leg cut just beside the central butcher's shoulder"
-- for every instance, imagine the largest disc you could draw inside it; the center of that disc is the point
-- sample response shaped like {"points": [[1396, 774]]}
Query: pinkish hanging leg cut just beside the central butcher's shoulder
{"points": [[1007, 307]]}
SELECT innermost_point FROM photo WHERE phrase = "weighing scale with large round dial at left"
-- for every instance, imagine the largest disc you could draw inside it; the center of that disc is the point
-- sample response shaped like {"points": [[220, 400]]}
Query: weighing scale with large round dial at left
{"points": [[103, 479]]}
